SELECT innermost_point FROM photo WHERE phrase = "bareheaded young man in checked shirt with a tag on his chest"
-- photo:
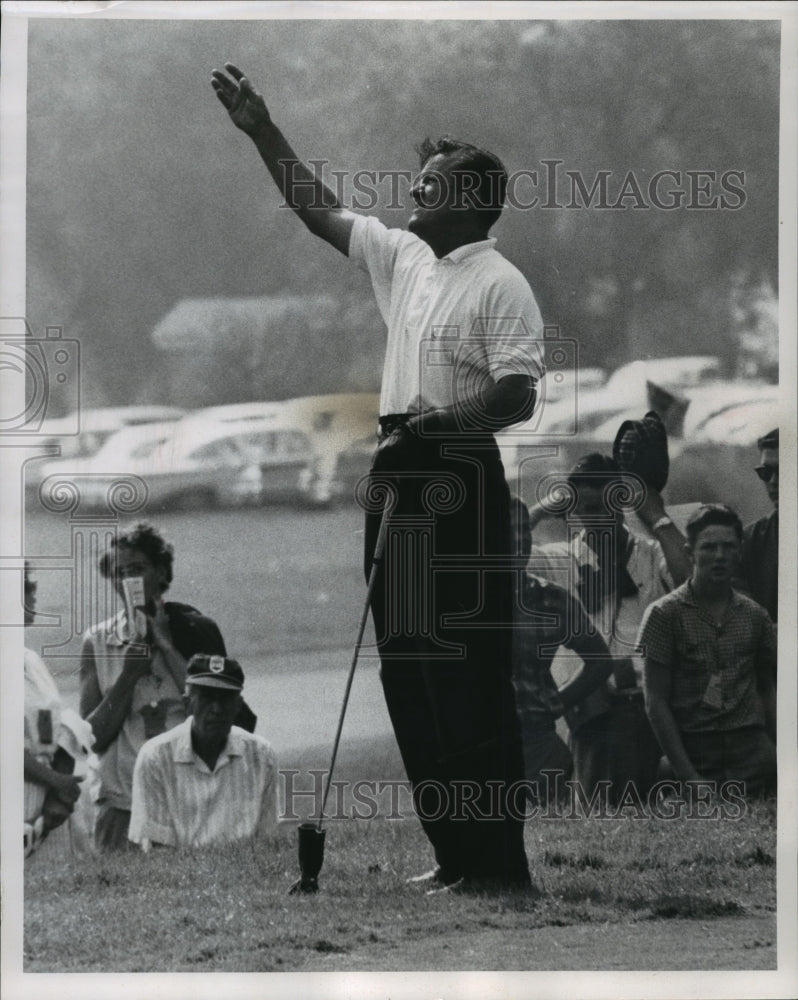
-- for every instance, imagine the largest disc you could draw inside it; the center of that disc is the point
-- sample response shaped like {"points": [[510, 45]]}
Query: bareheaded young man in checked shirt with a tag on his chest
{"points": [[709, 665]]}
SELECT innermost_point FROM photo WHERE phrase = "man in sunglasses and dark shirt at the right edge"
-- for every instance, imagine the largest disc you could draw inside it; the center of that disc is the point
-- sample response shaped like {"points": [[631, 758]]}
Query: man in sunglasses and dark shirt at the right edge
{"points": [[759, 566]]}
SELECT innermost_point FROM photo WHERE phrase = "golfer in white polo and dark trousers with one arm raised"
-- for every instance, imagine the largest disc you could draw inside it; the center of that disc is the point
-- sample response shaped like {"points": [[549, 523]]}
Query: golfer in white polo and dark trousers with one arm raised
{"points": [[460, 363]]}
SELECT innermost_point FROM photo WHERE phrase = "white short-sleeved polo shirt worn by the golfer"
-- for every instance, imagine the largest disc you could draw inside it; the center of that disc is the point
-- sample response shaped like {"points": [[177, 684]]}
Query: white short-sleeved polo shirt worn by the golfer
{"points": [[451, 322]]}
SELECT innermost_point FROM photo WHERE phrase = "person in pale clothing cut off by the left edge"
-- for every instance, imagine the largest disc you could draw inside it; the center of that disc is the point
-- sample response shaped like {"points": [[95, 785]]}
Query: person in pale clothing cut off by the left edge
{"points": [[55, 737]]}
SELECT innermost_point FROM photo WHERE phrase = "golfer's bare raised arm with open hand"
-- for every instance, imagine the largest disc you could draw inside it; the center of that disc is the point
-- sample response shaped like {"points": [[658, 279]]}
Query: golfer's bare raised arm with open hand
{"points": [[314, 203]]}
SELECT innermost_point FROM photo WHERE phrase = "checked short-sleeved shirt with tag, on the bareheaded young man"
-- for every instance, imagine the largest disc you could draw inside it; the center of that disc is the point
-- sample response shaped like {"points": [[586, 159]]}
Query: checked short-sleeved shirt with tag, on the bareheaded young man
{"points": [[714, 667]]}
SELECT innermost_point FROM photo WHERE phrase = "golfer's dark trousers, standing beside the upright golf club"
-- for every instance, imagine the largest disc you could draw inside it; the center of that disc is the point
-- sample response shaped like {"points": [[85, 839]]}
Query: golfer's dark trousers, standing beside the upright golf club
{"points": [[441, 608]]}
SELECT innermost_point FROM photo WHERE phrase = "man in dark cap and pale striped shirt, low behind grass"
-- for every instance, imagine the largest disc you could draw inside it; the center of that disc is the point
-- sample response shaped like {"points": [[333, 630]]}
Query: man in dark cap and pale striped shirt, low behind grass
{"points": [[205, 781]]}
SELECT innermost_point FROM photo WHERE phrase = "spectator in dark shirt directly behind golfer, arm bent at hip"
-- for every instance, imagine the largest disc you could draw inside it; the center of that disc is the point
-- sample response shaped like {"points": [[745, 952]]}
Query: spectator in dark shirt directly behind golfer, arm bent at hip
{"points": [[547, 616]]}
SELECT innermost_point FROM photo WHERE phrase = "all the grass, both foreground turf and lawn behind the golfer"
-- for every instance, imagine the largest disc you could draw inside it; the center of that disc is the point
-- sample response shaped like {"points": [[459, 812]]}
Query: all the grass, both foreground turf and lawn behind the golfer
{"points": [[287, 588]]}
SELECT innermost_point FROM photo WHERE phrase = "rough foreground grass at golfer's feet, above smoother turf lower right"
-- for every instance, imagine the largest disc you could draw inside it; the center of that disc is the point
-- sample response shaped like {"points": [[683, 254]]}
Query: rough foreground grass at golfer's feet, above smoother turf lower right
{"points": [[228, 909]]}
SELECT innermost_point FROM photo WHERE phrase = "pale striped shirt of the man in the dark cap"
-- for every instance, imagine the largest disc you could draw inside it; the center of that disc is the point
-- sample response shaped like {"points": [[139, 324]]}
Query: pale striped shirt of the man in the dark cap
{"points": [[179, 801]]}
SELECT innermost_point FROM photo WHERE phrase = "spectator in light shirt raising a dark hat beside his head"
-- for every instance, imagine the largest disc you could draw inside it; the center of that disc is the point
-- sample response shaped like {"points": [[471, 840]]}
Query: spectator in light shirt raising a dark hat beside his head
{"points": [[616, 574]]}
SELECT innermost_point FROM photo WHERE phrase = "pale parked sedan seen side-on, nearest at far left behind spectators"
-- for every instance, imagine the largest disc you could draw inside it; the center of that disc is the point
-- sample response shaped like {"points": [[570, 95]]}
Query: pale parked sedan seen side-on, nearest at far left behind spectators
{"points": [[193, 463]]}
